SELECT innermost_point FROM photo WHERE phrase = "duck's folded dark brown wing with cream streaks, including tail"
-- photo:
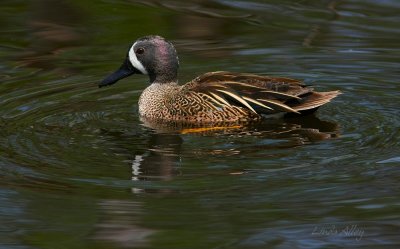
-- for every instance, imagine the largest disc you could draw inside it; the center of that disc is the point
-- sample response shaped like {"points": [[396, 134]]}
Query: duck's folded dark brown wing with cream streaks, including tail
{"points": [[259, 94]]}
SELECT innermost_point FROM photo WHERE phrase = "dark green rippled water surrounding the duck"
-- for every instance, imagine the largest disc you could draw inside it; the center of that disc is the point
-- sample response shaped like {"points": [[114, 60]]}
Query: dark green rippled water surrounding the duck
{"points": [[78, 169]]}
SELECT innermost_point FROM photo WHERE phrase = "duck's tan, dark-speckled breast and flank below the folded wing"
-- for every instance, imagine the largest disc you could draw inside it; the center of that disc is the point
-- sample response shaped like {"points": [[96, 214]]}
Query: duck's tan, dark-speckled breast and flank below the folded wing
{"points": [[179, 103]]}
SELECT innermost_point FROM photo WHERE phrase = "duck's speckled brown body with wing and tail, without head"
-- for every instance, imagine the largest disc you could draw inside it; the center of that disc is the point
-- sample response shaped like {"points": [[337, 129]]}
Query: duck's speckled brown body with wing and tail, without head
{"points": [[206, 98]]}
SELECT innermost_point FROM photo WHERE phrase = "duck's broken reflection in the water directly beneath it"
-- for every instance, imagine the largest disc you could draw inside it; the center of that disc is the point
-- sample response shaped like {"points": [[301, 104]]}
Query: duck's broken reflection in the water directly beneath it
{"points": [[163, 154]]}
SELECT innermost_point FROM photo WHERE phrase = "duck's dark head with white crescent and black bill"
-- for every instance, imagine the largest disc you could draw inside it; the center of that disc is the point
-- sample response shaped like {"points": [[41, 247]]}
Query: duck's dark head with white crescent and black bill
{"points": [[151, 55]]}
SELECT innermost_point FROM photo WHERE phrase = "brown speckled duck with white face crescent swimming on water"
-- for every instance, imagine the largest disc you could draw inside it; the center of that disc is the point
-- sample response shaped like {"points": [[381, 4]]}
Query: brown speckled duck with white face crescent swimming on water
{"points": [[213, 97]]}
